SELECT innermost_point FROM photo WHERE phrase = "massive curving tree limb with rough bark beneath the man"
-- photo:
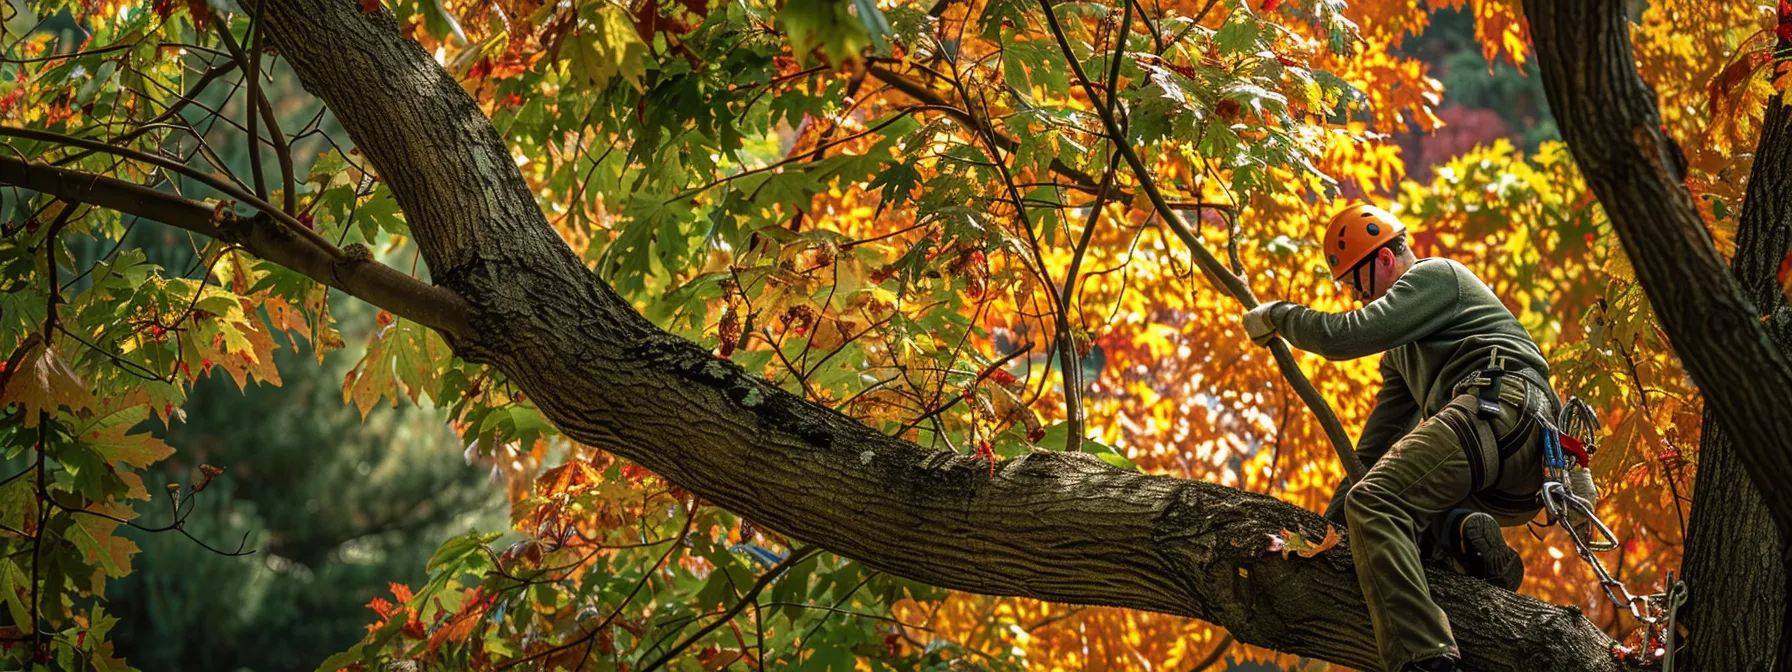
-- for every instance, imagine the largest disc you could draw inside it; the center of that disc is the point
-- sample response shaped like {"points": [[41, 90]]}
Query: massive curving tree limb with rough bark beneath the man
{"points": [[1062, 528]]}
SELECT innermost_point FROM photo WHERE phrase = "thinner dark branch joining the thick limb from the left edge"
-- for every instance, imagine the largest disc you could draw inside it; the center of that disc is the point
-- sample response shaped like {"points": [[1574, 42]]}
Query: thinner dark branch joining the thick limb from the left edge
{"points": [[368, 280]]}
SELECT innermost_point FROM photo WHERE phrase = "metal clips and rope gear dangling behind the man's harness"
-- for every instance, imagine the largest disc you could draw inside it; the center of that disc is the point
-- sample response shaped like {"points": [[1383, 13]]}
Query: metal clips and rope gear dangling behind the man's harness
{"points": [[1580, 426]]}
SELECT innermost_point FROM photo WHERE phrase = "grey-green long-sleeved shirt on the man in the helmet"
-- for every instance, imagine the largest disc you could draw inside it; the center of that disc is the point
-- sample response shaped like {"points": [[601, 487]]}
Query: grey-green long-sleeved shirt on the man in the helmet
{"points": [[1434, 327]]}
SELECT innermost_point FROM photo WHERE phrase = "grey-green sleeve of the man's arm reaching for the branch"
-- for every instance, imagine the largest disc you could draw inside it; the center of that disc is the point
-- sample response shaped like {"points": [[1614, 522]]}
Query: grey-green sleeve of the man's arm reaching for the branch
{"points": [[1422, 302]]}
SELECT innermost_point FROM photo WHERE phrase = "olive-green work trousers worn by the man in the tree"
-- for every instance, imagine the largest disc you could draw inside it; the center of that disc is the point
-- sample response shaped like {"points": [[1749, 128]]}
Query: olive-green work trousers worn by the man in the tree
{"points": [[1445, 463]]}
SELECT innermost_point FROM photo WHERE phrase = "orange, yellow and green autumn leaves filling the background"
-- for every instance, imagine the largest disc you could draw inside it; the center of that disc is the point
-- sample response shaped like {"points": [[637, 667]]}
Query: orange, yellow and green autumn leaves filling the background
{"points": [[908, 212]]}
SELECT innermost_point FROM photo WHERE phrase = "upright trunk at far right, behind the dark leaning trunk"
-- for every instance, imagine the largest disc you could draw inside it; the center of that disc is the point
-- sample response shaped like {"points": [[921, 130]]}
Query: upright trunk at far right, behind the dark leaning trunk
{"points": [[1736, 562]]}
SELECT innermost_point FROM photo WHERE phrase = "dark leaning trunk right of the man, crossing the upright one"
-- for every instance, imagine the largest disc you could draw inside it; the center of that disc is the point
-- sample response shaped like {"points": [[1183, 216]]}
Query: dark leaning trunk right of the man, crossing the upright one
{"points": [[1610, 121]]}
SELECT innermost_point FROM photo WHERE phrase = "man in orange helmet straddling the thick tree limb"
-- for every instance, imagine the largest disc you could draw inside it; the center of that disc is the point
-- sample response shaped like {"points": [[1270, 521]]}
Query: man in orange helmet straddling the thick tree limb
{"points": [[1456, 435]]}
